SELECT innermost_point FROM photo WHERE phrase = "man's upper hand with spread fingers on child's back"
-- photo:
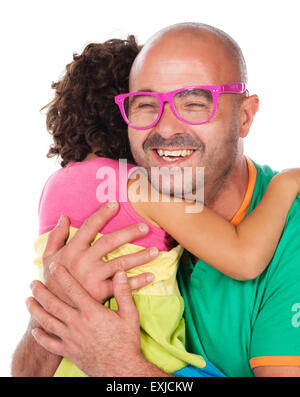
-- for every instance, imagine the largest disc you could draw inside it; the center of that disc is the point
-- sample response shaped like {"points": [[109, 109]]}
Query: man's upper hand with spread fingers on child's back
{"points": [[85, 262]]}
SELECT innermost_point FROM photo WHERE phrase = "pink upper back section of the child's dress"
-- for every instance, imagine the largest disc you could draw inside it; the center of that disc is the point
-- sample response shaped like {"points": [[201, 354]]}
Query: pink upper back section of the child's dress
{"points": [[80, 188]]}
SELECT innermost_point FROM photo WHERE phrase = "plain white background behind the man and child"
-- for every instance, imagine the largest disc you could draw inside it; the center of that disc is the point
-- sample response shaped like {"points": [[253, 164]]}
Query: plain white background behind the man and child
{"points": [[38, 39]]}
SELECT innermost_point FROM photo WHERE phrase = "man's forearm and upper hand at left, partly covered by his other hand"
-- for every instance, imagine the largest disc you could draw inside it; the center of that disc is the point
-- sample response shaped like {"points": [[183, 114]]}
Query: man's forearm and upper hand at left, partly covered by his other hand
{"points": [[85, 263]]}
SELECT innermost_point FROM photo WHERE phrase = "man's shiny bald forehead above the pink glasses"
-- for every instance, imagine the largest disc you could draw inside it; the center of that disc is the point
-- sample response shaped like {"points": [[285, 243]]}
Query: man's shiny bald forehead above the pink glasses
{"points": [[183, 57]]}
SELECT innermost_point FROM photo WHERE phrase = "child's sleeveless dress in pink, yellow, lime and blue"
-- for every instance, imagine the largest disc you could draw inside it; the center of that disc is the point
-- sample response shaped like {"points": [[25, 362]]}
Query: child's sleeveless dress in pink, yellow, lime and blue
{"points": [[77, 191]]}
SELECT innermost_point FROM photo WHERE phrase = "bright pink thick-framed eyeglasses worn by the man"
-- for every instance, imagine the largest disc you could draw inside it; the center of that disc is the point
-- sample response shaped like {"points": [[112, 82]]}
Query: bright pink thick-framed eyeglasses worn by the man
{"points": [[193, 105]]}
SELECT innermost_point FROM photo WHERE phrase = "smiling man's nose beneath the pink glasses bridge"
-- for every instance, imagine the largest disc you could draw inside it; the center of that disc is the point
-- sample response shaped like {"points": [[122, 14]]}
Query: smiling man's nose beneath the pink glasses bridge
{"points": [[169, 124]]}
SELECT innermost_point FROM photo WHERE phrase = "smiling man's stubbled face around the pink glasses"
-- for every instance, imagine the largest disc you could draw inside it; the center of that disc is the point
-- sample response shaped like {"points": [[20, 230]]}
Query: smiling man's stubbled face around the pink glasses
{"points": [[171, 65]]}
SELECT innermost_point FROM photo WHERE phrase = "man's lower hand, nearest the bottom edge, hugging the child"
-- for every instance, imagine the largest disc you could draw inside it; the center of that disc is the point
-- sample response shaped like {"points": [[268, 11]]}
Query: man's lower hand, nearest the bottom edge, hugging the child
{"points": [[100, 341]]}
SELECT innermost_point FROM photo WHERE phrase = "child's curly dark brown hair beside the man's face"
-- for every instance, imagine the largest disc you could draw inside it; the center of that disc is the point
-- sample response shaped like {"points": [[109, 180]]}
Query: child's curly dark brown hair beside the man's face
{"points": [[83, 115]]}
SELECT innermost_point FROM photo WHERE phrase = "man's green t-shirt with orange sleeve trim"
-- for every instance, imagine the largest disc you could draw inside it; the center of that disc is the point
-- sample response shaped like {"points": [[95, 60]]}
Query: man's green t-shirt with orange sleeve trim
{"points": [[231, 322]]}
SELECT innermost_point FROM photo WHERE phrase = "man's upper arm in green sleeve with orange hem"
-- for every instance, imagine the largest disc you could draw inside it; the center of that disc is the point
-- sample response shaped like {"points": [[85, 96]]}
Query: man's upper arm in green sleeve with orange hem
{"points": [[274, 349]]}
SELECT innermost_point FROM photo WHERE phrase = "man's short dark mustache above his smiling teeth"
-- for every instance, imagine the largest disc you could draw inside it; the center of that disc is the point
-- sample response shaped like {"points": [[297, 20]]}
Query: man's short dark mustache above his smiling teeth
{"points": [[180, 140]]}
